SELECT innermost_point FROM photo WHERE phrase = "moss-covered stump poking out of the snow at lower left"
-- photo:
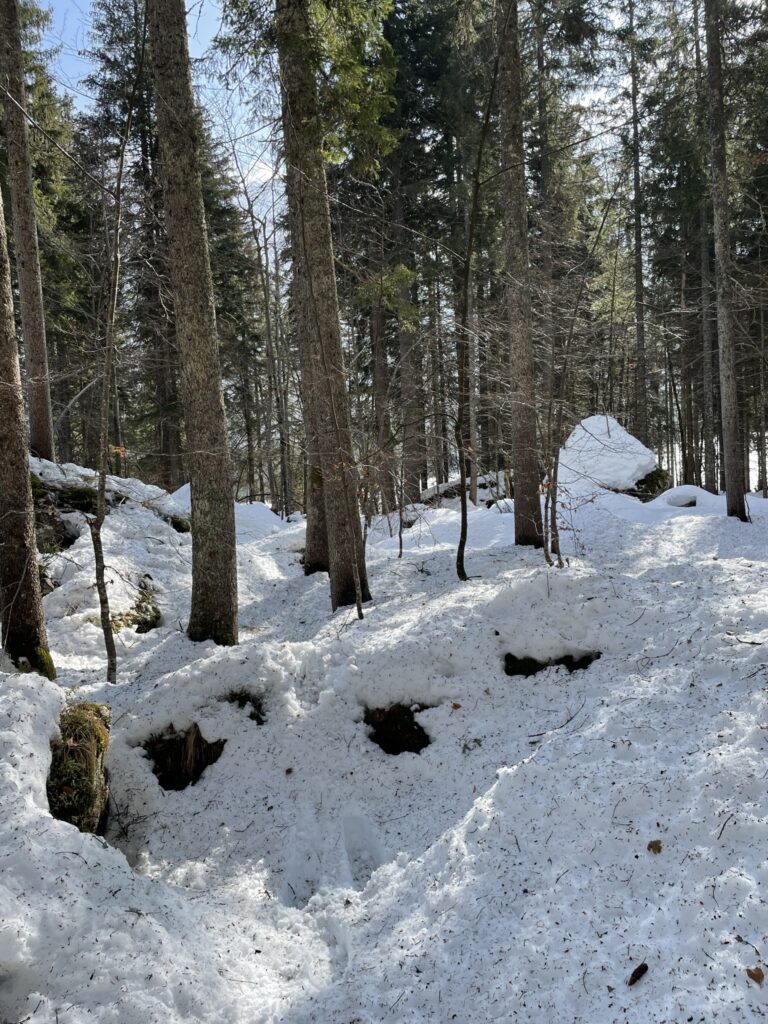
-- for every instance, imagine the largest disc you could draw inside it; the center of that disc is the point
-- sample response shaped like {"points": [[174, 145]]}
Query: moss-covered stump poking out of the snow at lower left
{"points": [[78, 786]]}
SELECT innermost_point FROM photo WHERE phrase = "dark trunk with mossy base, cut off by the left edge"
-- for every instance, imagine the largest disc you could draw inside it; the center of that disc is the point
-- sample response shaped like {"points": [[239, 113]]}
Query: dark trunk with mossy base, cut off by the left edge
{"points": [[21, 606]]}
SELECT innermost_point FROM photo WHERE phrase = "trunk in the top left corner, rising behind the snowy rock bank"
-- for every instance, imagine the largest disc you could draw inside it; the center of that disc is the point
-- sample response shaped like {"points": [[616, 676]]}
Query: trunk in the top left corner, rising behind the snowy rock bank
{"points": [[25, 233]]}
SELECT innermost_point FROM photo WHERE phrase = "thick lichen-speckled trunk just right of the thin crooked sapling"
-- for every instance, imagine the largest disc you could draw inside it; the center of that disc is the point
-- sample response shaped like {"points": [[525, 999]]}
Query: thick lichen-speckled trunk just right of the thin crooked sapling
{"points": [[215, 599]]}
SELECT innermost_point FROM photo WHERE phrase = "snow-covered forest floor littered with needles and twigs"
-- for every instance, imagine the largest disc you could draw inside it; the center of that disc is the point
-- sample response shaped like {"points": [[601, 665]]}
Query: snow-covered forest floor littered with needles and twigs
{"points": [[504, 874]]}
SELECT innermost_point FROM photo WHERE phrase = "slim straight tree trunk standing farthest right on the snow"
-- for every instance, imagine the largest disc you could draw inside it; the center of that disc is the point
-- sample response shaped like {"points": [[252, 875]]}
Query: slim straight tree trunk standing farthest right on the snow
{"points": [[733, 455]]}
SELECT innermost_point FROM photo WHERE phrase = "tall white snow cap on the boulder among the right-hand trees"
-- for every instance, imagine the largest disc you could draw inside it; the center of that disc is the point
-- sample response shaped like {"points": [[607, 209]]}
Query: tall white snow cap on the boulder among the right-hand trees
{"points": [[601, 453]]}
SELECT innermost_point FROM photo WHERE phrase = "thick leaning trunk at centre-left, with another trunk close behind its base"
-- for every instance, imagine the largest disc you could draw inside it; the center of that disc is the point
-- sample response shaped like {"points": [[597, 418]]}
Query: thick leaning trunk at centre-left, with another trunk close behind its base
{"points": [[317, 310]]}
